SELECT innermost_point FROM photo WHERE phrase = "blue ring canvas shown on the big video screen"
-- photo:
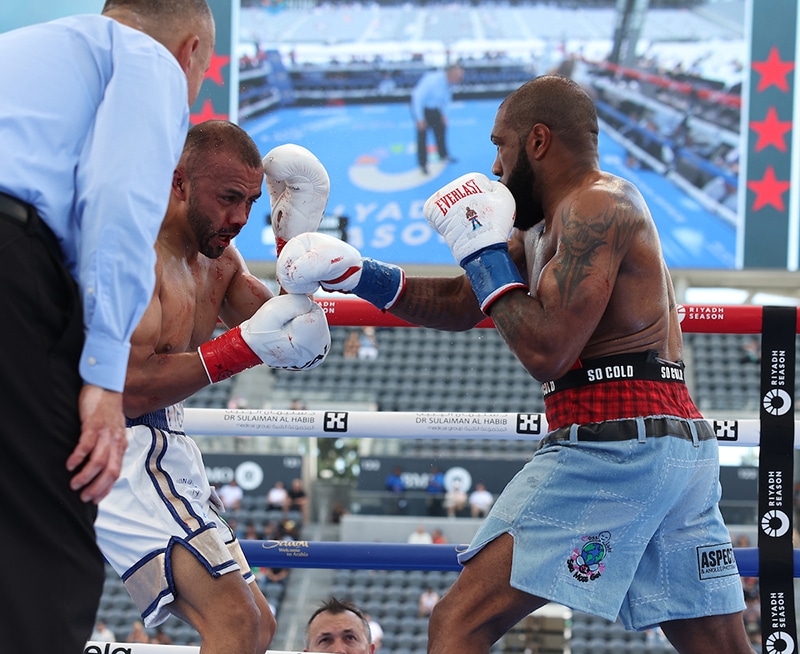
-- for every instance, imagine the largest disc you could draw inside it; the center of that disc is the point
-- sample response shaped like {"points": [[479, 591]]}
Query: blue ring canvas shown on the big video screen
{"points": [[369, 152]]}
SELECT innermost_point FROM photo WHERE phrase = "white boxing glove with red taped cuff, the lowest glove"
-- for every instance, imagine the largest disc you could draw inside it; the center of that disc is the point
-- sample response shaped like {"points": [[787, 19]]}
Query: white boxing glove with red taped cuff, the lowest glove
{"points": [[287, 331]]}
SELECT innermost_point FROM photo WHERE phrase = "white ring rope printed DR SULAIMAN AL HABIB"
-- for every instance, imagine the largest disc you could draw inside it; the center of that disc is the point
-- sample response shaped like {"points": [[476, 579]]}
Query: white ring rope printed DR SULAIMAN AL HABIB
{"points": [[409, 424]]}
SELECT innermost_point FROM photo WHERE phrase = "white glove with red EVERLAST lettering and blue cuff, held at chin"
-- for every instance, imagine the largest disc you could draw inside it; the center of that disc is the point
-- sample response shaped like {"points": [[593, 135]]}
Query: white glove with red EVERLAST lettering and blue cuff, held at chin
{"points": [[475, 216]]}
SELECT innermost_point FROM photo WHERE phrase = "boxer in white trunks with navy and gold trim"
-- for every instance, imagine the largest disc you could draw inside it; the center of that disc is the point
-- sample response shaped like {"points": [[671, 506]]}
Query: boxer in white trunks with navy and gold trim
{"points": [[160, 526]]}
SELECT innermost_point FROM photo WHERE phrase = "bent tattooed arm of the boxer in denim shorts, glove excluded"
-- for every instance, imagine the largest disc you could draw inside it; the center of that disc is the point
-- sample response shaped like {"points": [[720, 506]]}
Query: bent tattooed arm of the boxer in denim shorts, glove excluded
{"points": [[579, 262]]}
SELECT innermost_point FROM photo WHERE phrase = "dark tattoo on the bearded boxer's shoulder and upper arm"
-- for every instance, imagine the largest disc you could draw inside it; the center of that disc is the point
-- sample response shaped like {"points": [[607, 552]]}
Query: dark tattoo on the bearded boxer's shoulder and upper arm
{"points": [[582, 238]]}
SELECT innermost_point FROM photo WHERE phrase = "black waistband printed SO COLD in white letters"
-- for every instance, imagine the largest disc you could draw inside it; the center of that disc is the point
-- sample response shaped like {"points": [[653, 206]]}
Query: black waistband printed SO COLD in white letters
{"points": [[619, 367]]}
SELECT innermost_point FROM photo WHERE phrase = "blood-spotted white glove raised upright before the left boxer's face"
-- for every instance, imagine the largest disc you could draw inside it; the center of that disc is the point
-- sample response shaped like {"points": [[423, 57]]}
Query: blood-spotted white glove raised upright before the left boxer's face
{"points": [[298, 187]]}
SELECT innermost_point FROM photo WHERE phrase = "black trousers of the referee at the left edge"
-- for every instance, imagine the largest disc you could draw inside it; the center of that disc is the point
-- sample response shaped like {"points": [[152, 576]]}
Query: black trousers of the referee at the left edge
{"points": [[52, 575]]}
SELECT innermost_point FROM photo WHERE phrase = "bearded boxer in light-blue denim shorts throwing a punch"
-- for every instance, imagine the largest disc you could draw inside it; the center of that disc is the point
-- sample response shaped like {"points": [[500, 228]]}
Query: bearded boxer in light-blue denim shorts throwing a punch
{"points": [[614, 511]]}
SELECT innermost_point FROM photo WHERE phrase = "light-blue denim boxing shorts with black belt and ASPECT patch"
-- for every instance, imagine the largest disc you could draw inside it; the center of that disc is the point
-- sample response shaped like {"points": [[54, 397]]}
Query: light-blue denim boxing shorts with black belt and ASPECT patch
{"points": [[620, 518]]}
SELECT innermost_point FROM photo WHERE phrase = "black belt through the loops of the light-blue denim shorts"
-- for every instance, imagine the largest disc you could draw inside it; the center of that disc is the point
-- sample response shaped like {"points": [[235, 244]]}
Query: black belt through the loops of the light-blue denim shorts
{"points": [[634, 428]]}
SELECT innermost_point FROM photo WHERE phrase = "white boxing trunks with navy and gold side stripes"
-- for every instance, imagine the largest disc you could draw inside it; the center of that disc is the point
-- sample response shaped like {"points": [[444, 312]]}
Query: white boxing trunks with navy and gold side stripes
{"points": [[162, 499]]}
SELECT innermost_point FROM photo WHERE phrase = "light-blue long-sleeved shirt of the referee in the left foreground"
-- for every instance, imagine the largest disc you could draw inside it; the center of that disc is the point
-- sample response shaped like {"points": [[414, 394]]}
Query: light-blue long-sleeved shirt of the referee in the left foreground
{"points": [[93, 118]]}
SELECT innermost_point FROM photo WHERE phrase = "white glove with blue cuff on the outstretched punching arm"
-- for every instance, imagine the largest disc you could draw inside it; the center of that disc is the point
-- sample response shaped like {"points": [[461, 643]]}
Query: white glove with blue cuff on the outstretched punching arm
{"points": [[311, 260]]}
